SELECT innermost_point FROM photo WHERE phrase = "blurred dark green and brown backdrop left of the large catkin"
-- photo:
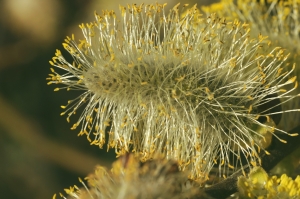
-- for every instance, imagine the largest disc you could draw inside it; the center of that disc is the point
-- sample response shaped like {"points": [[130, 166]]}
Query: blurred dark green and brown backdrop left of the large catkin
{"points": [[39, 154]]}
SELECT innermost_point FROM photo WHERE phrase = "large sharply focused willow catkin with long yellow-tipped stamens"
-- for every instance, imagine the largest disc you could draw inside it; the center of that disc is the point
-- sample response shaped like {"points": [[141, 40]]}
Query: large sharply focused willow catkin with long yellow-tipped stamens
{"points": [[180, 84]]}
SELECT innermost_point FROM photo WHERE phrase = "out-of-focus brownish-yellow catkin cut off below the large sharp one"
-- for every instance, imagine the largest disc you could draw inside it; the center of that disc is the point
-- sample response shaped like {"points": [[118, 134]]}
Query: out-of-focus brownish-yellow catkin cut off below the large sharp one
{"points": [[131, 179]]}
